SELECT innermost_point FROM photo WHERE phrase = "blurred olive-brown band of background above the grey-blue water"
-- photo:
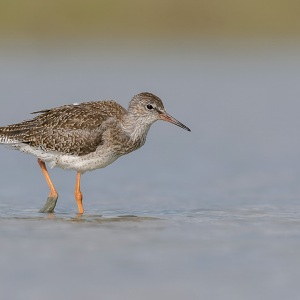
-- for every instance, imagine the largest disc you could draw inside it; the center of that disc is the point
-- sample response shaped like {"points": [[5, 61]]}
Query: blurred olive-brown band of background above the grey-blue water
{"points": [[131, 19]]}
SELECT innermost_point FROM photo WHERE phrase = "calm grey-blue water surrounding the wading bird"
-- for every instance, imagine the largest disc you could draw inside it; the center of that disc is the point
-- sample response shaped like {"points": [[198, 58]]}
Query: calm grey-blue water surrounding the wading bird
{"points": [[211, 214]]}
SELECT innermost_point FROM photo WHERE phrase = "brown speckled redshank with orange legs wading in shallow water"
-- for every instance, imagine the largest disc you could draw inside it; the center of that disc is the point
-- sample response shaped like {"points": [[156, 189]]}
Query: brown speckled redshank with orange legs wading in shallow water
{"points": [[85, 136]]}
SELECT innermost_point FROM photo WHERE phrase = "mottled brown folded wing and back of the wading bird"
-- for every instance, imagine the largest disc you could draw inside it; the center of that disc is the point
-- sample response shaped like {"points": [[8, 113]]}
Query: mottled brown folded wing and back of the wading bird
{"points": [[70, 129]]}
